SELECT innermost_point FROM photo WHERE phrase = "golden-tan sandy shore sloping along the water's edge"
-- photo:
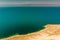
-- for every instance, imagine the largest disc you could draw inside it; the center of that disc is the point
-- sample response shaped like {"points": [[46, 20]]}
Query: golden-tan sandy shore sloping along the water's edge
{"points": [[51, 32]]}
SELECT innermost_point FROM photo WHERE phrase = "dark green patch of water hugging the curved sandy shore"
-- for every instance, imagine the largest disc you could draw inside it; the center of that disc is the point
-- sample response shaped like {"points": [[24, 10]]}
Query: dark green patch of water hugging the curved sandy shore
{"points": [[21, 30]]}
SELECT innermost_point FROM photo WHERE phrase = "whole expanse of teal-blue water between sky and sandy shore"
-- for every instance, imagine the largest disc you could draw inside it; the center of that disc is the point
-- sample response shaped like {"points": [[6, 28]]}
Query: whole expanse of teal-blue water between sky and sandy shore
{"points": [[23, 20]]}
